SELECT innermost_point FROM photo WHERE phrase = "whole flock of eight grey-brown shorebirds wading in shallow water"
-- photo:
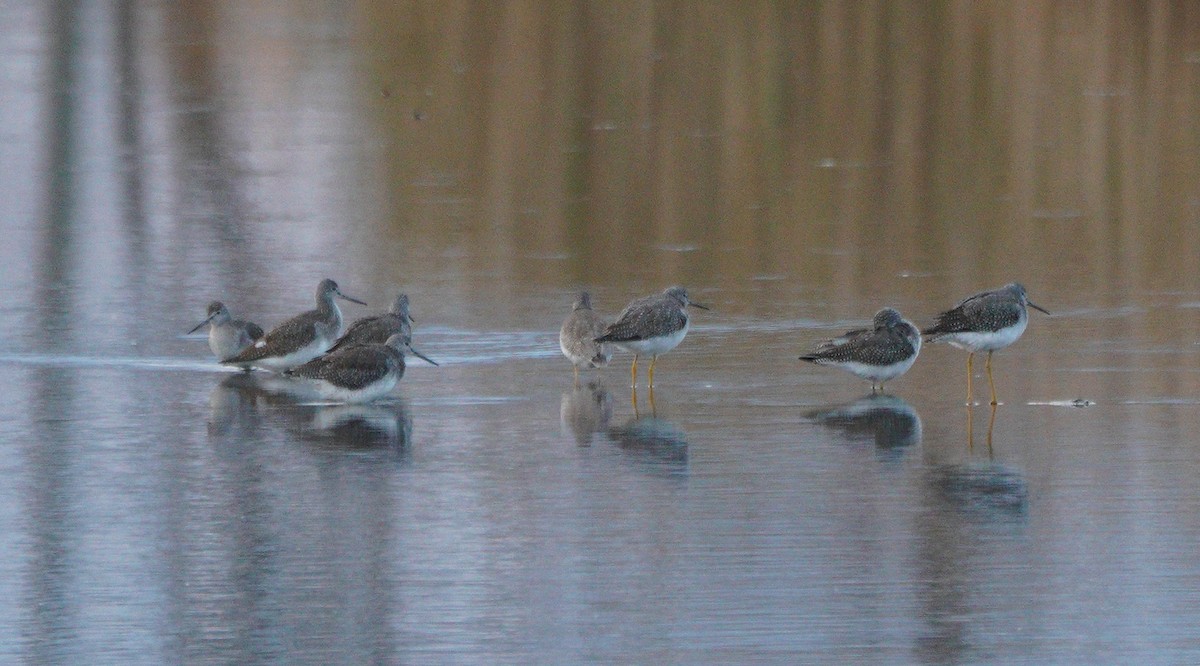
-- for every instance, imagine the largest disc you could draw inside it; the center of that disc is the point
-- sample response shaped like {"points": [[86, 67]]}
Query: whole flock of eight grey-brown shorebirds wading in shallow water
{"points": [[367, 362]]}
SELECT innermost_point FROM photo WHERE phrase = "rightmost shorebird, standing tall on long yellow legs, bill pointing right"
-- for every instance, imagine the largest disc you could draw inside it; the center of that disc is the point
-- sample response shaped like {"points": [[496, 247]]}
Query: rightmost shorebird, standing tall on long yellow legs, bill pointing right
{"points": [[986, 322]]}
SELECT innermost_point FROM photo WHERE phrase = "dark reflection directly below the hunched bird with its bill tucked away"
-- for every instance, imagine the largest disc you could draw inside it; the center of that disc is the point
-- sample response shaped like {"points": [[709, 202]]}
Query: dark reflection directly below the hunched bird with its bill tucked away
{"points": [[890, 421]]}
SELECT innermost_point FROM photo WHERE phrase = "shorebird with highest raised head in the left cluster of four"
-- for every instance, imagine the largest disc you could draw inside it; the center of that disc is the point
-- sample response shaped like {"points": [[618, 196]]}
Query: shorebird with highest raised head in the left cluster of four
{"points": [[301, 339]]}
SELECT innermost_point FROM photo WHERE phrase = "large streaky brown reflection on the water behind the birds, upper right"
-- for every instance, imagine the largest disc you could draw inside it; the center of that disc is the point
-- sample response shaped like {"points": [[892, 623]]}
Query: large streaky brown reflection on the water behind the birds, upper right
{"points": [[979, 141]]}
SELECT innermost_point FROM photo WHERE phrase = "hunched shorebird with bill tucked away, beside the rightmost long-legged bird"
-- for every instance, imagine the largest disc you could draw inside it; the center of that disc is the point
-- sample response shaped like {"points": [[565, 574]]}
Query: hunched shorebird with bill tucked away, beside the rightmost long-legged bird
{"points": [[881, 353]]}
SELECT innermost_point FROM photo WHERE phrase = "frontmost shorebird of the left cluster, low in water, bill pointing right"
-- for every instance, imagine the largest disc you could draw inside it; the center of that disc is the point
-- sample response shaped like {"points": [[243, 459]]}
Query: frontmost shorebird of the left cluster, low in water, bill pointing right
{"points": [[359, 373]]}
